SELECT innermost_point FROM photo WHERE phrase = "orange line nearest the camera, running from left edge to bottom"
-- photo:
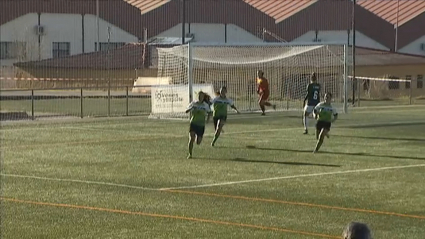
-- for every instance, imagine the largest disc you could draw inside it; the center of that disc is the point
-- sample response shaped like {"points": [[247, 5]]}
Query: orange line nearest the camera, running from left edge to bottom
{"points": [[169, 217]]}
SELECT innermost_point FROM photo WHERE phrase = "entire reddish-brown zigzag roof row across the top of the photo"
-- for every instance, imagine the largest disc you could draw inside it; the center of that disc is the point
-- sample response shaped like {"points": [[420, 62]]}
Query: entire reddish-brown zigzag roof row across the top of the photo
{"points": [[287, 19]]}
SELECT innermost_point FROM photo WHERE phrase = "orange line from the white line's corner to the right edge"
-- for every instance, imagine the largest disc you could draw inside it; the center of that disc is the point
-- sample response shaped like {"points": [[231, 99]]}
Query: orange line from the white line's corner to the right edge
{"points": [[297, 204]]}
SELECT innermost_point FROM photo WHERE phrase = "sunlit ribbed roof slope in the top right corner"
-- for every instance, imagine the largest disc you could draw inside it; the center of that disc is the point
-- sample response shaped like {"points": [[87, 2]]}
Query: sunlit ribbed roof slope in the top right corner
{"points": [[387, 9]]}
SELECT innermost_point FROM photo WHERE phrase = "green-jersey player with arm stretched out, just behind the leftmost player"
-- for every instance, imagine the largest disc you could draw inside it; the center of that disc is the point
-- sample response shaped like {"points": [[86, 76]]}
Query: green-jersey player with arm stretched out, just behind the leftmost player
{"points": [[220, 104]]}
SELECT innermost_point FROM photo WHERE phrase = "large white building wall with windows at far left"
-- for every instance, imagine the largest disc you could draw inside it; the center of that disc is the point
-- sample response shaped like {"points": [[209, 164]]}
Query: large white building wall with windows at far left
{"points": [[59, 28]]}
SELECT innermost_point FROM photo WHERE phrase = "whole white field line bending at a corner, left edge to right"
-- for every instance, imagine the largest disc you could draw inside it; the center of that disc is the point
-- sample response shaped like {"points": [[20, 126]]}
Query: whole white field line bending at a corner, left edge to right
{"points": [[214, 184]]}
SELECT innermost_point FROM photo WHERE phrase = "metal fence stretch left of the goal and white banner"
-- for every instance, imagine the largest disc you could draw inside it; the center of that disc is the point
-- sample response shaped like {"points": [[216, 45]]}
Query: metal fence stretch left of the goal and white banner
{"points": [[31, 104]]}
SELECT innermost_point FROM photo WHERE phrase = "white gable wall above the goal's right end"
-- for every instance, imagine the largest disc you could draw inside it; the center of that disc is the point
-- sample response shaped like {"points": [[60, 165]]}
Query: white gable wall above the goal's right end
{"points": [[341, 36]]}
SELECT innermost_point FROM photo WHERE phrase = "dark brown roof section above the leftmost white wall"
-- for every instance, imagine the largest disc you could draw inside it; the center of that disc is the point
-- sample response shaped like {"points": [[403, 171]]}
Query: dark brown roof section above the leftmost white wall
{"points": [[117, 12]]}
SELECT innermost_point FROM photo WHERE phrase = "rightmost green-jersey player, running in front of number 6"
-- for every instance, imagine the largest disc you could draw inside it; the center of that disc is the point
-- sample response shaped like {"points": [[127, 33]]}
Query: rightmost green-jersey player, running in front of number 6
{"points": [[325, 115]]}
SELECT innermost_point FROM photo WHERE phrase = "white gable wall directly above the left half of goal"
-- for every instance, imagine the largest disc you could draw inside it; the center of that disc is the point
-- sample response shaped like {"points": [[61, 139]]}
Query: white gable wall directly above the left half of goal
{"points": [[213, 33]]}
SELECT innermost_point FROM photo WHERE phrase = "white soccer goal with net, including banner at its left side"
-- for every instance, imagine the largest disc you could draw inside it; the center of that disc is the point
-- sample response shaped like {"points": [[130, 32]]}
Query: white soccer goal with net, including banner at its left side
{"points": [[207, 67]]}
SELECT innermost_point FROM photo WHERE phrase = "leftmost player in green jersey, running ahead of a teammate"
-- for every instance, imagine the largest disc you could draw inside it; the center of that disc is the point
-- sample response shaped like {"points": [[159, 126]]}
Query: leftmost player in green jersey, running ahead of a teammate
{"points": [[200, 110]]}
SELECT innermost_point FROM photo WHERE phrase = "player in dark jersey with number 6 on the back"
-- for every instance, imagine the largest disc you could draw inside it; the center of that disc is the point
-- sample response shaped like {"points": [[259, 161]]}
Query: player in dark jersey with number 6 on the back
{"points": [[311, 99]]}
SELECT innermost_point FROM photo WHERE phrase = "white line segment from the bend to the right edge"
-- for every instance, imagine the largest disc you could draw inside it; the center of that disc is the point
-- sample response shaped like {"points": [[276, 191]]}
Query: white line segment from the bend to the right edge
{"points": [[294, 176]]}
